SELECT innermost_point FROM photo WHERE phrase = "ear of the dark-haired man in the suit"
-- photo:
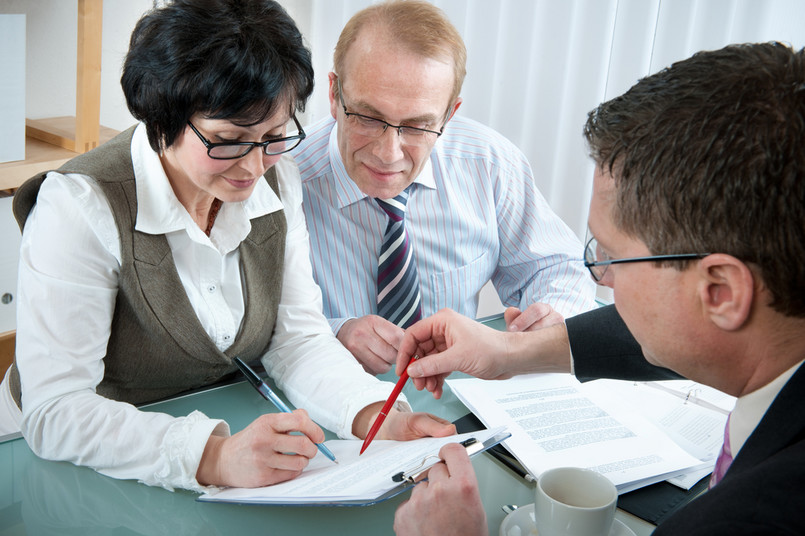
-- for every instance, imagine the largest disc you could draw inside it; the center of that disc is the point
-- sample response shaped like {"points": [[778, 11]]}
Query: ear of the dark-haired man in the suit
{"points": [[726, 290]]}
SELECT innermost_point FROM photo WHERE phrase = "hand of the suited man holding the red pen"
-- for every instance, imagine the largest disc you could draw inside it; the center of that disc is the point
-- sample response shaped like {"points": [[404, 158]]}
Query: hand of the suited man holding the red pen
{"points": [[448, 341]]}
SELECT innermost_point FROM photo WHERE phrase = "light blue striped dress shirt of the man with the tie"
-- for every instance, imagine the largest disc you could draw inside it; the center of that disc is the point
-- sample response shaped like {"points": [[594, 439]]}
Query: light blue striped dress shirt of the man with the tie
{"points": [[474, 215]]}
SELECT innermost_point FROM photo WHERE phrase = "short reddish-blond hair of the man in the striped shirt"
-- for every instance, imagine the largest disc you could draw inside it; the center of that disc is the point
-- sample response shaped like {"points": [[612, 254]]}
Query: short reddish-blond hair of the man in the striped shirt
{"points": [[419, 26]]}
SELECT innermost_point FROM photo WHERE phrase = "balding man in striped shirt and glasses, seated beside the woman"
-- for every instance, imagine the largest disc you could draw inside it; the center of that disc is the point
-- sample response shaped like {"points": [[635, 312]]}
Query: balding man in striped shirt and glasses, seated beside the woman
{"points": [[473, 212]]}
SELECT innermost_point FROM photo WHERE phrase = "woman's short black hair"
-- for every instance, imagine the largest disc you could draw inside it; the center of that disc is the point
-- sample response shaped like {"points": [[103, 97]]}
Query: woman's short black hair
{"points": [[228, 59]]}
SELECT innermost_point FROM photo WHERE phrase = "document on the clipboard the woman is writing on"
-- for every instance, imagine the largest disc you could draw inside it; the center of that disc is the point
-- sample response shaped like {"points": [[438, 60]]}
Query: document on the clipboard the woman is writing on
{"points": [[378, 474]]}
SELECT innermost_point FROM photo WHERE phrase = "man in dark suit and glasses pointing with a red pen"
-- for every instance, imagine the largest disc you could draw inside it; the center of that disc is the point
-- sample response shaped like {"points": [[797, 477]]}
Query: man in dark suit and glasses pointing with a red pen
{"points": [[696, 223]]}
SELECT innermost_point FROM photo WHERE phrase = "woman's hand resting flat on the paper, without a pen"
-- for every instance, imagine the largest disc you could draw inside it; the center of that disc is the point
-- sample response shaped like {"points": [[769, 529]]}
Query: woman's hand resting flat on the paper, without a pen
{"points": [[401, 425]]}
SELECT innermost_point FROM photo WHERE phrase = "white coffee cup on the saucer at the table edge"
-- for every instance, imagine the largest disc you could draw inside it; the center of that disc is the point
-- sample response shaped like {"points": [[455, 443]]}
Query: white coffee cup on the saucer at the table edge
{"points": [[571, 501]]}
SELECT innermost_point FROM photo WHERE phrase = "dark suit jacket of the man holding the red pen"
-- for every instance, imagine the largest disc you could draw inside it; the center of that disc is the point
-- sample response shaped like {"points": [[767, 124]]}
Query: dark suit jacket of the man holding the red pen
{"points": [[763, 491]]}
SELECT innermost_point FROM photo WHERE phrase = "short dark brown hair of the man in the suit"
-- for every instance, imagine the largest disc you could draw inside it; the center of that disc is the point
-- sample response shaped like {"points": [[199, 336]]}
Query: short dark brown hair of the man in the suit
{"points": [[708, 155]]}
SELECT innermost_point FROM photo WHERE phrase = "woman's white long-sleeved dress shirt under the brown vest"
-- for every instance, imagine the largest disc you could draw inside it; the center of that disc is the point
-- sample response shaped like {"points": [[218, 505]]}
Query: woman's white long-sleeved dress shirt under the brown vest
{"points": [[68, 280]]}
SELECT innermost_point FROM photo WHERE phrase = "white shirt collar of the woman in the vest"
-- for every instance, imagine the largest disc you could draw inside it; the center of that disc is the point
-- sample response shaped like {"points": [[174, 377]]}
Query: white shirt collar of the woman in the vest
{"points": [[160, 212]]}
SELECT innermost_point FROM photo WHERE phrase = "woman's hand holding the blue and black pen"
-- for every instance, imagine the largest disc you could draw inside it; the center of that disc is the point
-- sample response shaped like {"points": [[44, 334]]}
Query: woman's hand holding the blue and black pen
{"points": [[263, 453]]}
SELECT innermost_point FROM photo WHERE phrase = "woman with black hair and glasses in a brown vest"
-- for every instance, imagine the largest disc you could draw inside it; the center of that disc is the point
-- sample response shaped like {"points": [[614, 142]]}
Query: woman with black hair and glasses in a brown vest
{"points": [[150, 262]]}
